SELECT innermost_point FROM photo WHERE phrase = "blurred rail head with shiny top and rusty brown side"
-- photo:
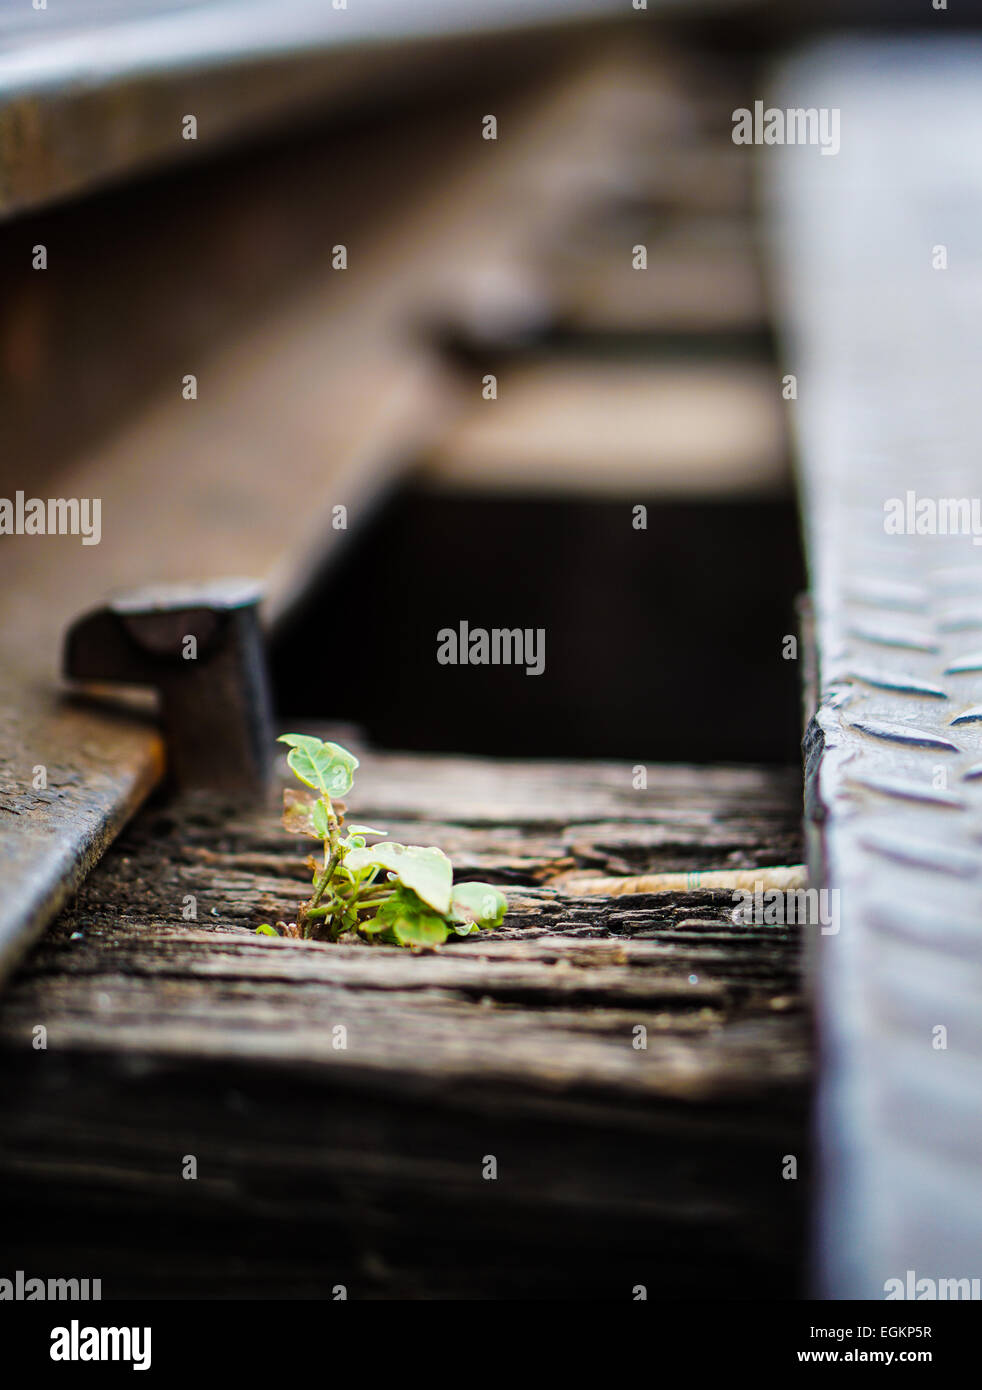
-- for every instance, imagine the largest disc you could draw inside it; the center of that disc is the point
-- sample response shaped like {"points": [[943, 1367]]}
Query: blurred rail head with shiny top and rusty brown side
{"points": [[92, 92]]}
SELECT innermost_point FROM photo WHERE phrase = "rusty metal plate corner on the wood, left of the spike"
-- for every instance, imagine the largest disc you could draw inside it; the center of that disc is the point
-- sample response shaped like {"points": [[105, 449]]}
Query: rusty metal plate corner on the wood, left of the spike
{"points": [[70, 779]]}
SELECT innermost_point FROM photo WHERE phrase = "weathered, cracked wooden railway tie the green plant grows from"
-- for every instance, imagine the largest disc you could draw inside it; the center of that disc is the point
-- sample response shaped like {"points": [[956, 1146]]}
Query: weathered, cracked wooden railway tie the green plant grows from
{"points": [[364, 1166]]}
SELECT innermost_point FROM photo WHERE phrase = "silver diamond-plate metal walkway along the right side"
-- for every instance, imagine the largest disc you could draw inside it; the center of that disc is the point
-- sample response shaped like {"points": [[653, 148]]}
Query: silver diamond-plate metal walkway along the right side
{"points": [[887, 351]]}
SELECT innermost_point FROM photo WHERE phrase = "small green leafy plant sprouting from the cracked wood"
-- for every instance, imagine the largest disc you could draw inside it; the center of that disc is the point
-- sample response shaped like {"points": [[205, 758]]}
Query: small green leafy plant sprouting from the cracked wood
{"points": [[397, 894]]}
